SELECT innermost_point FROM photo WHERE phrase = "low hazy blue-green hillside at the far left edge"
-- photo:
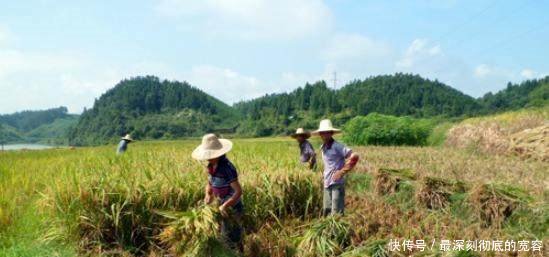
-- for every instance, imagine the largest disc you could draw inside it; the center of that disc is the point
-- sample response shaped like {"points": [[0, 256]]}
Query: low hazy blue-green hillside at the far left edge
{"points": [[45, 126]]}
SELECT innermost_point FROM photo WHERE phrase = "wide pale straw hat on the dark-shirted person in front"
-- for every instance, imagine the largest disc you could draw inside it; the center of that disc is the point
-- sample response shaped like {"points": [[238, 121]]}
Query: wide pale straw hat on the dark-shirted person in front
{"points": [[211, 147]]}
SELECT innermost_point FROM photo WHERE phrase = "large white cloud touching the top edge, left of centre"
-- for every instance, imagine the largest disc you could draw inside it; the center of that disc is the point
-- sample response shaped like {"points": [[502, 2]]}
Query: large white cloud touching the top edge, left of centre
{"points": [[251, 19]]}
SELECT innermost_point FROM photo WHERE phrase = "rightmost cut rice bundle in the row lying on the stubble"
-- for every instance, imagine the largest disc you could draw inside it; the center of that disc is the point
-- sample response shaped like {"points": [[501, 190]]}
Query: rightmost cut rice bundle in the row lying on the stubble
{"points": [[496, 202]]}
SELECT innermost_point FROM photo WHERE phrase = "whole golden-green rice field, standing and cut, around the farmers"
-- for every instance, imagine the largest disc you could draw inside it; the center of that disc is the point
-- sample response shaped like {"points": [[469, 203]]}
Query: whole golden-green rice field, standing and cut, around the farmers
{"points": [[90, 202]]}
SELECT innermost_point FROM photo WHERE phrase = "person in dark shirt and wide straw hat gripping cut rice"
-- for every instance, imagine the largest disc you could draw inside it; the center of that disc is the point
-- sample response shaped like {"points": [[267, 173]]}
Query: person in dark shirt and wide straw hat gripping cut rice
{"points": [[224, 186]]}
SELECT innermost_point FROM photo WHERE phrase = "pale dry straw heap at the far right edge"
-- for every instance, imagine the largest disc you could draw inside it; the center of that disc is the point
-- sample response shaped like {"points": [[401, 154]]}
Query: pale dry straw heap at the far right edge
{"points": [[531, 143]]}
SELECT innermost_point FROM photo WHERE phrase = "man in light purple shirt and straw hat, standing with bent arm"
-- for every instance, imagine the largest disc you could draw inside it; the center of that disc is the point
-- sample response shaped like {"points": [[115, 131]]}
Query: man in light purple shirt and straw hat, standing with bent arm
{"points": [[338, 161]]}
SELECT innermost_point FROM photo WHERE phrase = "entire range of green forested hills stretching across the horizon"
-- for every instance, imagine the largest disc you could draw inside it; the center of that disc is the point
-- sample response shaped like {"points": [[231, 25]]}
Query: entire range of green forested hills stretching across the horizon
{"points": [[149, 108]]}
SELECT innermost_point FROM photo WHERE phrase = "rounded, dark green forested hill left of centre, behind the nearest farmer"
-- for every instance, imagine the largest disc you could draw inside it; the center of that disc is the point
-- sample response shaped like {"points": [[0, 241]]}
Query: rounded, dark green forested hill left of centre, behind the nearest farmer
{"points": [[149, 108]]}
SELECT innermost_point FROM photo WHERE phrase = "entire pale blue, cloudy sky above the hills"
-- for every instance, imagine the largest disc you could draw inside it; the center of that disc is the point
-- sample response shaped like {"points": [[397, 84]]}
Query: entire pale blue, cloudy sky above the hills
{"points": [[67, 53]]}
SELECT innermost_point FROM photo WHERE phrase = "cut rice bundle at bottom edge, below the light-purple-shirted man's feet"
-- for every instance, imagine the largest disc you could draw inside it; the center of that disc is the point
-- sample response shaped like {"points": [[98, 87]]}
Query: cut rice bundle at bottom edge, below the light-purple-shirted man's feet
{"points": [[327, 237]]}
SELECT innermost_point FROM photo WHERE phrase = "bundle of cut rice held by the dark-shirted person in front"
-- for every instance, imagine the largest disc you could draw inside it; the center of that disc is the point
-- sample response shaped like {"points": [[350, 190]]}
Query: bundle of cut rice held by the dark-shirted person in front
{"points": [[194, 233]]}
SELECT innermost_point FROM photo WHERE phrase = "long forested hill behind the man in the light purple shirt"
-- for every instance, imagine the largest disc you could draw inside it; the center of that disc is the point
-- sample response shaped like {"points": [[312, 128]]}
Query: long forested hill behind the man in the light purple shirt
{"points": [[399, 94]]}
